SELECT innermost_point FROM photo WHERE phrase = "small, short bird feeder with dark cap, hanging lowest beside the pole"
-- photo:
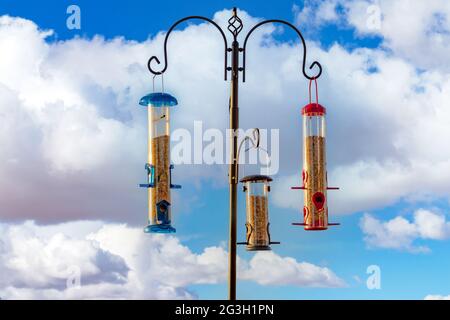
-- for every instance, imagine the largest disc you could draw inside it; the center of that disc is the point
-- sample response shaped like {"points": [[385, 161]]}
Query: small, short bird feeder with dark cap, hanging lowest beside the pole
{"points": [[257, 190]]}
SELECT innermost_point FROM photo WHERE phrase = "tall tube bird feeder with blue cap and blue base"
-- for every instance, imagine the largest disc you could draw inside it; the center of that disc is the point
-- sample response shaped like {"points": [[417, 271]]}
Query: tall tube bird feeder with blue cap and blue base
{"points": [[158, 167]]}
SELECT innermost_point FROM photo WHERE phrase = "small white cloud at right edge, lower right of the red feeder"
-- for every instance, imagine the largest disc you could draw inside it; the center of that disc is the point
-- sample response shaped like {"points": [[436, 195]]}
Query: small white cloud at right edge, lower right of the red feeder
{"points": [[400, 233]]}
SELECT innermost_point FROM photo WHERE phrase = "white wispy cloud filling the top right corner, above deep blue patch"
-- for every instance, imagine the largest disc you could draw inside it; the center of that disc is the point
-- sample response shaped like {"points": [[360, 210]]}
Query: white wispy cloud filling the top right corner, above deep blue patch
{"points": [[422, 36]]}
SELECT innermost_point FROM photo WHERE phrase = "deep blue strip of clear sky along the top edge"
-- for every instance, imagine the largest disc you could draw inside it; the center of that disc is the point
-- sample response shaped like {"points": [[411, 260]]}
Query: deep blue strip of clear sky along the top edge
{"points": [[141, 19]]}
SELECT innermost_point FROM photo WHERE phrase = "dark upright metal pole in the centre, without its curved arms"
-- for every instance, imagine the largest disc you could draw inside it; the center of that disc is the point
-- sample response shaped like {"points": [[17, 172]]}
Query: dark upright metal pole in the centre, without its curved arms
{"points": [[233, 169]]}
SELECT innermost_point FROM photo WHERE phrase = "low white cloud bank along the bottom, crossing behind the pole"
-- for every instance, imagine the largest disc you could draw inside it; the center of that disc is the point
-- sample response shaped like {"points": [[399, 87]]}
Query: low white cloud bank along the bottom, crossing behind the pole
{"points": [[117, 261]]}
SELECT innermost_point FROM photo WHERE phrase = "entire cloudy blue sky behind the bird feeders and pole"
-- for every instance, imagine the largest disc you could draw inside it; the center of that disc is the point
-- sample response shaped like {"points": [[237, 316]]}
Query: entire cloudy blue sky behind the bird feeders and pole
{"points": [[73, 149]]}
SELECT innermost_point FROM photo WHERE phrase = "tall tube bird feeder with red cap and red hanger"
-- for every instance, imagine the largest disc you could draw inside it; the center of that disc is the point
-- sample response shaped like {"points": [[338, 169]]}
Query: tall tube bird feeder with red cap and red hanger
{"points": [[314, 175]]}
